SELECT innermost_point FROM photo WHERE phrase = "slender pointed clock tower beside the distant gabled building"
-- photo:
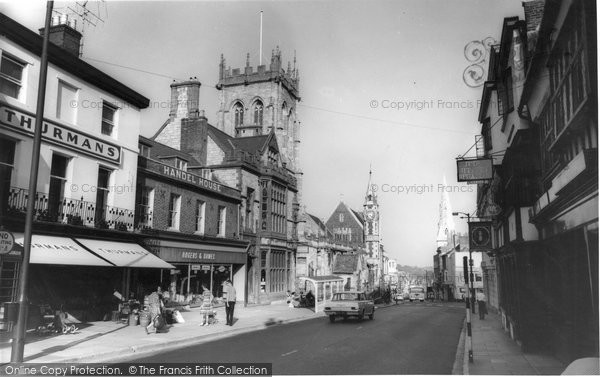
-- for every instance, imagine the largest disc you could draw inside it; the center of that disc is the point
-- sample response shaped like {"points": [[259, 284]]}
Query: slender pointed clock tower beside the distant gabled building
{"points": [[372, 225]]}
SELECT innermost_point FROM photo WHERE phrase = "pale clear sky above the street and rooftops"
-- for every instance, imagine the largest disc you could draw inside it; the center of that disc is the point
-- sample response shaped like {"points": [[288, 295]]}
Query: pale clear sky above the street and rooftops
{"points": [[381, 84]]}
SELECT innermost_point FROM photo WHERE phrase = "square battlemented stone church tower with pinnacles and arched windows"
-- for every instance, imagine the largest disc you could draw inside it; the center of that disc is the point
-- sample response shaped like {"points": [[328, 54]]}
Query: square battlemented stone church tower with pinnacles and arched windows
{"points": [[261, 101]]}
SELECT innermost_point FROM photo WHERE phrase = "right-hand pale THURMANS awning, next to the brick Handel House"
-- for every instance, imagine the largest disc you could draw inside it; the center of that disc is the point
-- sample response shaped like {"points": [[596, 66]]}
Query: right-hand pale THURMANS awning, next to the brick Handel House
{"points": [[124, 254]]}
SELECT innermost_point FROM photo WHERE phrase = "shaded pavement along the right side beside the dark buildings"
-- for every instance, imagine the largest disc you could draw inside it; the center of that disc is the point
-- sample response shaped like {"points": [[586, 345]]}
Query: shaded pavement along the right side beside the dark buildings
{"points": [[495, 353]]}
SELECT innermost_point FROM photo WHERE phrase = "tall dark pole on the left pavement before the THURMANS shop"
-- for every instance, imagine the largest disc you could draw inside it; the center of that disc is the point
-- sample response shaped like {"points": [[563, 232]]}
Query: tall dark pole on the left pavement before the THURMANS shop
{"points": [[18, 345]]}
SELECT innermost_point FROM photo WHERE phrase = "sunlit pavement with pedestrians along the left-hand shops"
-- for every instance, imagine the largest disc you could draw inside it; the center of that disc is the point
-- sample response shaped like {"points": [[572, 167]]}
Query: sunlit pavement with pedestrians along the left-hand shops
{"points": [[112, 341]]}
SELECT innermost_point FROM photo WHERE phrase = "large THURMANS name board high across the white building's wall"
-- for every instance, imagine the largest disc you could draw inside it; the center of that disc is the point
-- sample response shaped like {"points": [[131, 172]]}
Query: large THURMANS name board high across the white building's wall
{"points": [[61, 134]]}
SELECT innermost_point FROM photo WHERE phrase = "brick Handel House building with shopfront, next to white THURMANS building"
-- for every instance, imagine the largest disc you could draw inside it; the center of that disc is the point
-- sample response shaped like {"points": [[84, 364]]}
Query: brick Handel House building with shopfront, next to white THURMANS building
{"points": [[190, 221]]}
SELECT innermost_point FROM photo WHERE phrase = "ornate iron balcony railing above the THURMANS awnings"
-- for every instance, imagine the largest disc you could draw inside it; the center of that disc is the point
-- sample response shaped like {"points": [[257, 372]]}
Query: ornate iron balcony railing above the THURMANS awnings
{"points": [[67, 211]]}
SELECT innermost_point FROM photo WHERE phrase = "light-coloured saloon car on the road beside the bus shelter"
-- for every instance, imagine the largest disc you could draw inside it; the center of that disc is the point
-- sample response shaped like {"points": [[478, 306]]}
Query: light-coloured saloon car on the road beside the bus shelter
{"points": [[349, 304]]}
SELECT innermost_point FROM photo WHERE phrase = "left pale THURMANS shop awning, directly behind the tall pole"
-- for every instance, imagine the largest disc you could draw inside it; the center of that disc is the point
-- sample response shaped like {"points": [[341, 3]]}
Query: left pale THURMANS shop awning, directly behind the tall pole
{"points": [[59, 250]]}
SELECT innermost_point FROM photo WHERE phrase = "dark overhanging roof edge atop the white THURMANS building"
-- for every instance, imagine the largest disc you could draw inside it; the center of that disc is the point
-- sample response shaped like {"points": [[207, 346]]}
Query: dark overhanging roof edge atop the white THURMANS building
{"points": [[33, 42]]}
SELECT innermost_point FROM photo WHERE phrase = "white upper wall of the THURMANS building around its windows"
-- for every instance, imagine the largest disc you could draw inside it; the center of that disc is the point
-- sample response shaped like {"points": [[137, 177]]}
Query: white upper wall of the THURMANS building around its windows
{"points": [[82, 174]]}
